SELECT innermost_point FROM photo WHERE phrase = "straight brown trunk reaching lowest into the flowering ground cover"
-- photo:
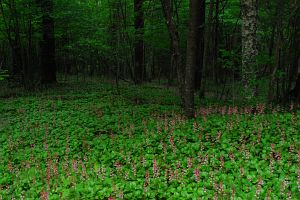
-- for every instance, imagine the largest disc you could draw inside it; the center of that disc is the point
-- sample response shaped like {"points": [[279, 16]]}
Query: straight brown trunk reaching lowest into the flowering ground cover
{"points": [[192, 57]]}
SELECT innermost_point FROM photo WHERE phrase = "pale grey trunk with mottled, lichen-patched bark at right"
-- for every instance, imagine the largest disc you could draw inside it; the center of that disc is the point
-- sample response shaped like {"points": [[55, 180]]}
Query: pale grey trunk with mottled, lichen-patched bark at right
{"points": [[249, 46]]}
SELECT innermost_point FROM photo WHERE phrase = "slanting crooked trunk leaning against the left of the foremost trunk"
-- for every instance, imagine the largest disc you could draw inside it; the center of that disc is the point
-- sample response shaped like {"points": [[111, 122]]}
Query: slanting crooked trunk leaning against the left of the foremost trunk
{"points": [[174, 35]]}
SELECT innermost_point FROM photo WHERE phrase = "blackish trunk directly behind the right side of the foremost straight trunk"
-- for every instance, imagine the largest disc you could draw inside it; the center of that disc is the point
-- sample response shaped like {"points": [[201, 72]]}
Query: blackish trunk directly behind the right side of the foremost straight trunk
{"points": [[200, 38]]}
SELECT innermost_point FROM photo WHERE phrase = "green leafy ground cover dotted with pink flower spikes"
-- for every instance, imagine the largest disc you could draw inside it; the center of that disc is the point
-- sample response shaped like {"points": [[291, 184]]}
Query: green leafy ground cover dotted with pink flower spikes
{"points": [[95, 144]]}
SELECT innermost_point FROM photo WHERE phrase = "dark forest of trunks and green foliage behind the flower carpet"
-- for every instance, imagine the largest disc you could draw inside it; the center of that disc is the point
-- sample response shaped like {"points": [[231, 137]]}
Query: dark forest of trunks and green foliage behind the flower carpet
{"points": [[228, 49]]}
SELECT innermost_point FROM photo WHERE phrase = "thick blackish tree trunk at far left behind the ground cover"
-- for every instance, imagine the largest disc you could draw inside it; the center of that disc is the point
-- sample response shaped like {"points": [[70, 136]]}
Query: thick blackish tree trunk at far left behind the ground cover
{"points": [[47, 45]]}
